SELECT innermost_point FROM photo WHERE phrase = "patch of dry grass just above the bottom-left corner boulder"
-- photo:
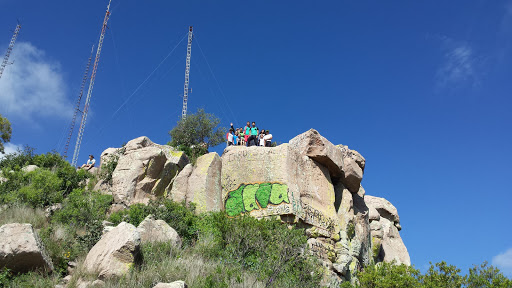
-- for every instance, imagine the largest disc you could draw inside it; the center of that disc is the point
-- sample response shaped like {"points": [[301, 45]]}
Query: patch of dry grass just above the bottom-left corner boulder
{"points": [[23, 214]]}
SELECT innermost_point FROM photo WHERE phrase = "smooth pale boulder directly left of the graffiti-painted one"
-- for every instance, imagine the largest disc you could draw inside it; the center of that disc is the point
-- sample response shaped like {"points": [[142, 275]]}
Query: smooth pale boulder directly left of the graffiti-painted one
{"points": [[202, 185]]}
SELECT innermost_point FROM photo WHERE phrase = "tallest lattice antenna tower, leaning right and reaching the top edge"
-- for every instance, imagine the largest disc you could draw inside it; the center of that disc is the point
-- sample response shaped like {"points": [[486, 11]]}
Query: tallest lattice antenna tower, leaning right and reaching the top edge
{"points": [[91, 85]]}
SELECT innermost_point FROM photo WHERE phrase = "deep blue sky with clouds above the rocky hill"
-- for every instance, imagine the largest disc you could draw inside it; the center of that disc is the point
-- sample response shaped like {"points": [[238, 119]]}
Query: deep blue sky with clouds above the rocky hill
{"points": [[422, 90]]}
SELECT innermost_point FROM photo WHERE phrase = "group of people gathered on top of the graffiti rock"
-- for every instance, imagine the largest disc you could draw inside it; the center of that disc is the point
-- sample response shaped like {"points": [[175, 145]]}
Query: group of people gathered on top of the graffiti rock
{"points": [[248, 136]]}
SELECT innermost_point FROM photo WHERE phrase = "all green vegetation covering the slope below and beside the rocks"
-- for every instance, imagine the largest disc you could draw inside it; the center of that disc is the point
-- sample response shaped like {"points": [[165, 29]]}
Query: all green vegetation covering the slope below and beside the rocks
{"points": [[218, 251]]}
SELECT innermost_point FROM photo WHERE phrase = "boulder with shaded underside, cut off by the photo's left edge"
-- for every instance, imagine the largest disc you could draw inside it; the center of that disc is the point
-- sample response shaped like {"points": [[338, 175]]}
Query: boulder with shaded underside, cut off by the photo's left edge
{"points": [[21, 250]]}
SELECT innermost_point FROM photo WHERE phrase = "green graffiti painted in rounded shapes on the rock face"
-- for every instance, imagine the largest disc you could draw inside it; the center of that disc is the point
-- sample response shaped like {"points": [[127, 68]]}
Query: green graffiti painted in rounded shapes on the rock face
{"points": [[249, 197]]}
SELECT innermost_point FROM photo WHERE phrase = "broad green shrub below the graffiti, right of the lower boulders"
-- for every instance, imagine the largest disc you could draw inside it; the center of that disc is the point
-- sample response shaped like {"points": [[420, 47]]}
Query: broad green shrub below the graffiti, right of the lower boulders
{"points": [[266, 248]]}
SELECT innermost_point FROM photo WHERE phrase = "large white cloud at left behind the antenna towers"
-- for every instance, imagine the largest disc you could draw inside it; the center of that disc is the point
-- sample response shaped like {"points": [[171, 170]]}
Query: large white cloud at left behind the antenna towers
{"points": [[33, 86]]}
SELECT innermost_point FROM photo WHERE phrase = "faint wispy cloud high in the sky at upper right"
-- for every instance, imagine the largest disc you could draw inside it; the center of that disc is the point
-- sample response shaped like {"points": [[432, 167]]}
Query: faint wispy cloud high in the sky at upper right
{"points": [[459, 65]]}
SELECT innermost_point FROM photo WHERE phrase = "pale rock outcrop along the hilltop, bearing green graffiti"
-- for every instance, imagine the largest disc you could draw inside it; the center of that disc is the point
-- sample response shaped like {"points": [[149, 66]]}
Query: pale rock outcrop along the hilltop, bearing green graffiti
{"points": [[308, 182]]}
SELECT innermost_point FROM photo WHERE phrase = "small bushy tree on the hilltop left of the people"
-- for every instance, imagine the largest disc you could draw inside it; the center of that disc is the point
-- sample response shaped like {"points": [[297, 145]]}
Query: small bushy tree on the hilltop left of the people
{"points": [[196, 133]]}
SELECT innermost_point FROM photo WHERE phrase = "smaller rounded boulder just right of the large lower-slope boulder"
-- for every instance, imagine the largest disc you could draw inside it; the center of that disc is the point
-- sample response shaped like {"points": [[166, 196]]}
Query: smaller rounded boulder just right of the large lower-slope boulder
{"points": [[151, 230]]}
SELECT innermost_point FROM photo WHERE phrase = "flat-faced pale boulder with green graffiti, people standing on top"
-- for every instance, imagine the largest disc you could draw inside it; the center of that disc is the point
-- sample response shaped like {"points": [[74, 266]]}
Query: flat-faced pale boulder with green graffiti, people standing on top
{"points": [[265, 181]]}
